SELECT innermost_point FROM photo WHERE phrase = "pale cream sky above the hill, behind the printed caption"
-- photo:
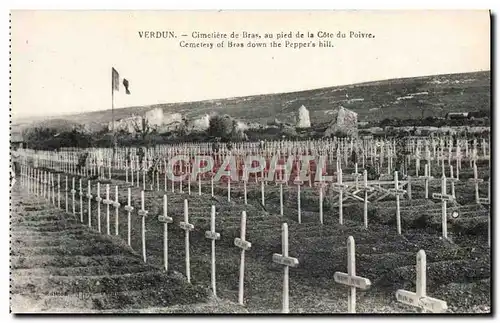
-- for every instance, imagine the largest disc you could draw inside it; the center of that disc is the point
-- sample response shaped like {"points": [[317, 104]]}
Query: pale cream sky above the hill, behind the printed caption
{"points": [[61, 60]]}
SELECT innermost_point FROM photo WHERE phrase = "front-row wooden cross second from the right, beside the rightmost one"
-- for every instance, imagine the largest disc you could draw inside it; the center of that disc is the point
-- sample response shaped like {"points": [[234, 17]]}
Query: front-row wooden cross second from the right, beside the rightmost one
{"points": [[350, 278]]}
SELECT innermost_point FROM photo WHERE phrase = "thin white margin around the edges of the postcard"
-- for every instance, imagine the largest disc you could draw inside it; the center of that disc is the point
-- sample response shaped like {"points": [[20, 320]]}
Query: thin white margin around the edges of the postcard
{"points": [[6, 5]]}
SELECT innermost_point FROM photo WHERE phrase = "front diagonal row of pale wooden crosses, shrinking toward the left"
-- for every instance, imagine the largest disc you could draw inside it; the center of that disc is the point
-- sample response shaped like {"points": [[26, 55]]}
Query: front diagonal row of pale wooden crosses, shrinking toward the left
{"points": [[42, 184]]}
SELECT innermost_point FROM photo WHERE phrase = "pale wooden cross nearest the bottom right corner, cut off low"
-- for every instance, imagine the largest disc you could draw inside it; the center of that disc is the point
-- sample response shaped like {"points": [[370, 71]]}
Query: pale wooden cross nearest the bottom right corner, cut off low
{"points": [[420, 298]]}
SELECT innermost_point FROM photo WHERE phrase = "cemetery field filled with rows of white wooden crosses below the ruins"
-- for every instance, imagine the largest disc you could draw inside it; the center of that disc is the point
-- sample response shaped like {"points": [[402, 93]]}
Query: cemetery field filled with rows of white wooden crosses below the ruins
{"points": [[384, 233]]}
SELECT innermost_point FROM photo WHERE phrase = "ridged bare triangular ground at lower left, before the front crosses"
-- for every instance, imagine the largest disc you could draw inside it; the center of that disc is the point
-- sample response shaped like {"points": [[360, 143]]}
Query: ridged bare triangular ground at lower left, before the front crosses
{"points": [[57, 265]]}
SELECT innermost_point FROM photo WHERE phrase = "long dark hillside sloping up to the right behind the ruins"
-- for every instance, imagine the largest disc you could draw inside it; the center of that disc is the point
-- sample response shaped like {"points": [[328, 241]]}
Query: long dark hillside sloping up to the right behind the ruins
{"points": [[373, 101]]}
